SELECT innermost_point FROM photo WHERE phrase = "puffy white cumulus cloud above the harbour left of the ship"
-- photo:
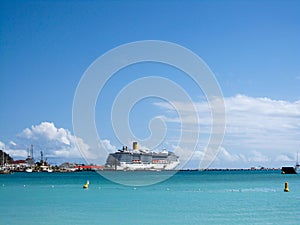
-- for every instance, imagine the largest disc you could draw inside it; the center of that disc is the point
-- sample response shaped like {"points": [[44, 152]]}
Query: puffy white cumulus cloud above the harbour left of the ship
{"points": [[56, 143]]}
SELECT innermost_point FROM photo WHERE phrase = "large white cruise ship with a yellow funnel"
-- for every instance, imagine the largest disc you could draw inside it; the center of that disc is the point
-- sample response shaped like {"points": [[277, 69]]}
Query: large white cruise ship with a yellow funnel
{"points": [[137, 159]]}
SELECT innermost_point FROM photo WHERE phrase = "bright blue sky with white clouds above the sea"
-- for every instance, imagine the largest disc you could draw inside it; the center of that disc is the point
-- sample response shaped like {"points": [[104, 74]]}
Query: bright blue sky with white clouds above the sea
{"points": [[252, 47]]}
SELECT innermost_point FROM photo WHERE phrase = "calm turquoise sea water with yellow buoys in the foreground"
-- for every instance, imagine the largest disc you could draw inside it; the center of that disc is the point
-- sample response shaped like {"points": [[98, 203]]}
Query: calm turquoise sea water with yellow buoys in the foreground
{"points": [[224, 197]]}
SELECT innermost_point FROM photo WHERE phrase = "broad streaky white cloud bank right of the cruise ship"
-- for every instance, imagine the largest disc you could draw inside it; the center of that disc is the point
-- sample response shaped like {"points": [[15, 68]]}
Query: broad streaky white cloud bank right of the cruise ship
{"points": [[258, 130]]}
